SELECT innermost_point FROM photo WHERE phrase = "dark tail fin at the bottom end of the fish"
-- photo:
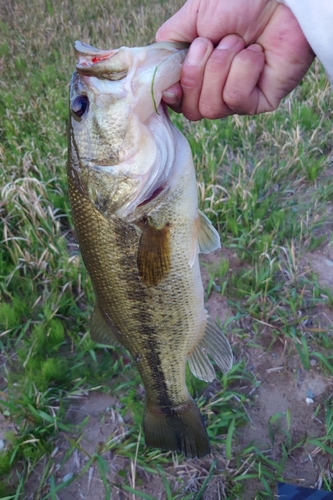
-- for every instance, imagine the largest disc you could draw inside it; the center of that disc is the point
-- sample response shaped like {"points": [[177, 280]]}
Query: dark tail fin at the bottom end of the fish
{"points": [[177, 429]]}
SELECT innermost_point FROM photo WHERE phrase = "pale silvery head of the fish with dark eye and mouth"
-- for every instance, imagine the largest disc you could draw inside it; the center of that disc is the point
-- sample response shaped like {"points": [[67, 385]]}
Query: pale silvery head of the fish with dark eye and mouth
{"points": [[115, 100]]}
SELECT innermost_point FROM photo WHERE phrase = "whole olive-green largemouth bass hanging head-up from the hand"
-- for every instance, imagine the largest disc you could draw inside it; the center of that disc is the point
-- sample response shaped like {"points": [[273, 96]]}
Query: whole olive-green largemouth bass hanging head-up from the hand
{"points": [[134, 203]]}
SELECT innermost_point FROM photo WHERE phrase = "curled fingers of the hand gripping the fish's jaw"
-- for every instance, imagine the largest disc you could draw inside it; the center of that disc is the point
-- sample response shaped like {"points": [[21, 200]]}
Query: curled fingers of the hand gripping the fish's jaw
{"points": [[218, 82]]}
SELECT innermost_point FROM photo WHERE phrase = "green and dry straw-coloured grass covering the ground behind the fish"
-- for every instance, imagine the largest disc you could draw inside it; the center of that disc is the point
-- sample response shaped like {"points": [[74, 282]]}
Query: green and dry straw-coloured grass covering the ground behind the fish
{"points": [[265, 183]]}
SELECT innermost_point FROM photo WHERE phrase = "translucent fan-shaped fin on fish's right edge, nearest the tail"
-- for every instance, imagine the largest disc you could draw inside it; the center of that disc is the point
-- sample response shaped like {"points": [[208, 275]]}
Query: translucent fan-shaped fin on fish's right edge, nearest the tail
{"points": [[217, 346]]}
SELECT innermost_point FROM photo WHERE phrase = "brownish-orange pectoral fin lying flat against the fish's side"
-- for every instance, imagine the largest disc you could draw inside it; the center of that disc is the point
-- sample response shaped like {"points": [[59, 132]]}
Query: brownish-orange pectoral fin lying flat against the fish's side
{"points": [[154, 254]]}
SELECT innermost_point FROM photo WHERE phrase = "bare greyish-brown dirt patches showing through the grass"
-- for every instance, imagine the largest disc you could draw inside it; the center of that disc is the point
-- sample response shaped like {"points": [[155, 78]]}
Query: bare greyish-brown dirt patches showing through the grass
{"points": [[283, 385]]}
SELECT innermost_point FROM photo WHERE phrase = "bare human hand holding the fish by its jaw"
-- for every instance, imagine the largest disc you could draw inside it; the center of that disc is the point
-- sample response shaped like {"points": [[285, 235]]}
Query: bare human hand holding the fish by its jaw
{"points": [[244, 57]]}
